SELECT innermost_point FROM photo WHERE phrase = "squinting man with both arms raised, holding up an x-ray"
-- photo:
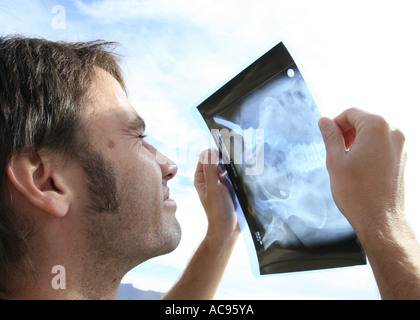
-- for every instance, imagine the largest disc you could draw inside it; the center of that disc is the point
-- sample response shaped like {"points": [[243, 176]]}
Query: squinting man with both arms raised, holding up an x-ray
{"points": [[82, 188]]}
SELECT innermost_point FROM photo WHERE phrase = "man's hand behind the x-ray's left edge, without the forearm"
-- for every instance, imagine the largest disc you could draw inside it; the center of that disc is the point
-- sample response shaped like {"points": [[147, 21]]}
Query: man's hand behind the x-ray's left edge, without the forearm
{"points": [[215, 197]]}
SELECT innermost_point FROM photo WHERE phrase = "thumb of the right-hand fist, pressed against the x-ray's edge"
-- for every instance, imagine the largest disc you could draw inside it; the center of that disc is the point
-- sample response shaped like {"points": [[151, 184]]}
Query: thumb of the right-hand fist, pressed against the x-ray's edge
{"points": [[333, 138]]}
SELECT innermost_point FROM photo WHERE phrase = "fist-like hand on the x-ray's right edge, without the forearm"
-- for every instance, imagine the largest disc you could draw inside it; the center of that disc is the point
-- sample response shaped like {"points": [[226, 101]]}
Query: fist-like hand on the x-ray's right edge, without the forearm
{"points": [[366, 162]]}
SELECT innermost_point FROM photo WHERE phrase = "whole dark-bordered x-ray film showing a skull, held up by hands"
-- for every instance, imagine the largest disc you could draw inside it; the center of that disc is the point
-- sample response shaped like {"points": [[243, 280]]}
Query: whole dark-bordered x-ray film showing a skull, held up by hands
{"points": [[265, 123]]}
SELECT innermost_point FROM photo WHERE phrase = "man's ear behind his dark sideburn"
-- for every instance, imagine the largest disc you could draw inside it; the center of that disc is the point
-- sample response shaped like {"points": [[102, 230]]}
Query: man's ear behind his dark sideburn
{"points": [[36, 178]]}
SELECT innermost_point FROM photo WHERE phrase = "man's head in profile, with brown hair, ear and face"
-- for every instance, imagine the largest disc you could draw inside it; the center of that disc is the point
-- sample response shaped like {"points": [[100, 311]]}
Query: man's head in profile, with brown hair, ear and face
{"points": [[77, 173]]}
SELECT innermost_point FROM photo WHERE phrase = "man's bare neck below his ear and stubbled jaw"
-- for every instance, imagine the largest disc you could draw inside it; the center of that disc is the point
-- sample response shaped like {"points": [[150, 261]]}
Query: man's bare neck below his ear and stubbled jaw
{"points": [[67, 264]]}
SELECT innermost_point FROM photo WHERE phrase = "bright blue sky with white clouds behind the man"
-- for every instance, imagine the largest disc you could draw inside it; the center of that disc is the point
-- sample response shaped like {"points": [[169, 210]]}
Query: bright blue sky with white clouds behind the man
{"points": [[176, 52]]}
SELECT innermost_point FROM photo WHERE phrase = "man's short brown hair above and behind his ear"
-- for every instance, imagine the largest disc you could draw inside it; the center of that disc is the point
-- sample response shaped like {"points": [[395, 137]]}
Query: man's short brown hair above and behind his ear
{"points": [[43, 88]]}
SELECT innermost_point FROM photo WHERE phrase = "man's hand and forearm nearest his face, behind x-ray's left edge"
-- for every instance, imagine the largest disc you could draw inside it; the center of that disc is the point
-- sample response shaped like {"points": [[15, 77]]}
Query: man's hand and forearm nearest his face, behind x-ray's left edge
{"points": [[205, 270]]}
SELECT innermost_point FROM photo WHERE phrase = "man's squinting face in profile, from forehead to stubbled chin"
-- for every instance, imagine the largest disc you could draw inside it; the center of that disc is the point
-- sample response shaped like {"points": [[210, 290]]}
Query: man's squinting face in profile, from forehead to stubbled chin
{"points": [[144, 224]]}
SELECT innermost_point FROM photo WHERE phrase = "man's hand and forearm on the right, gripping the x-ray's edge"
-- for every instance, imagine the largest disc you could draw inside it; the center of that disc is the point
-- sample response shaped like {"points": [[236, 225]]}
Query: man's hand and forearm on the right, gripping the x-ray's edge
{"points": [[366, 161]]}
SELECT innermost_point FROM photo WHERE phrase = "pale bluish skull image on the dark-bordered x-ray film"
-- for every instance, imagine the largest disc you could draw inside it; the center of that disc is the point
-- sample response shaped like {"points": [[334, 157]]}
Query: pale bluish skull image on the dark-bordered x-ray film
{"points": [[291, 196]]}
